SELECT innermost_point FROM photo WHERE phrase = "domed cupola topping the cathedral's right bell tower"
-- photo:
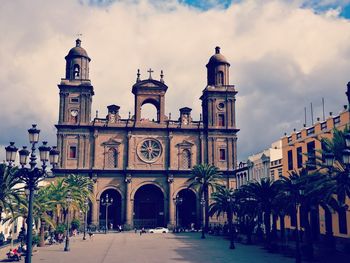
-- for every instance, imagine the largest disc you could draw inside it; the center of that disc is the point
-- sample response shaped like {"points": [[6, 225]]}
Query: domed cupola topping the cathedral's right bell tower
{"points": [[218, 69]]}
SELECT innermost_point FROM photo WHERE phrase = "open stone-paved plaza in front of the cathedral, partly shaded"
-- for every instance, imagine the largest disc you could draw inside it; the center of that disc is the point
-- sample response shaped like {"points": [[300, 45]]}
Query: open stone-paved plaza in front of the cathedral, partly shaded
{"points": [[153, 248]]}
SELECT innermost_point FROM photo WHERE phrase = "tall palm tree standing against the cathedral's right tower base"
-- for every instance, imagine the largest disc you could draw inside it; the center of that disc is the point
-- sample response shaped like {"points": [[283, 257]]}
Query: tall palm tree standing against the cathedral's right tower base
{"points": [[205, 177]]}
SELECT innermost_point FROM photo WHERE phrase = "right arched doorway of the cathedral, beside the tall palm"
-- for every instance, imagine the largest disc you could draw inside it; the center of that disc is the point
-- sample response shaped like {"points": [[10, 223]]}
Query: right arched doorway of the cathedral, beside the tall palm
{"points": [[187, 213]]}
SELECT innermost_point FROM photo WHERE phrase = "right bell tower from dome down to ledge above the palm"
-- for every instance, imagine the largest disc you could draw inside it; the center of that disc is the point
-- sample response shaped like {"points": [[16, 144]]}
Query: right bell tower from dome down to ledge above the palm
{"points": [[219, 114]]}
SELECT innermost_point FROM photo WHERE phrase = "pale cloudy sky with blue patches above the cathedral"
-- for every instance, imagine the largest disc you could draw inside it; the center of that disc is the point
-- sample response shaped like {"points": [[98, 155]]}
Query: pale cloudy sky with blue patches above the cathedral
{"points": [[284, 55]]}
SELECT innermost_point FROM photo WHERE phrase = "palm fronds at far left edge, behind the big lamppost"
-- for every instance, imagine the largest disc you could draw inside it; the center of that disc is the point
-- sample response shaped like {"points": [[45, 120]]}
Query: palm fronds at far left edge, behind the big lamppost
{"points": [[10, 189]]}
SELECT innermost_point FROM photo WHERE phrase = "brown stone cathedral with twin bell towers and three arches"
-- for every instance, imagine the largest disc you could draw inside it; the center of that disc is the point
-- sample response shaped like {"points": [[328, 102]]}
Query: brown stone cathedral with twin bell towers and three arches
{"points": [[142, 165]]}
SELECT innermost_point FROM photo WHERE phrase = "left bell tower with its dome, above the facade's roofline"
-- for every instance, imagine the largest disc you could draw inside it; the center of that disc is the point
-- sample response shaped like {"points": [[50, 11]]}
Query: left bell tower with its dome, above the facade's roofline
{"points": [[76, 90]]}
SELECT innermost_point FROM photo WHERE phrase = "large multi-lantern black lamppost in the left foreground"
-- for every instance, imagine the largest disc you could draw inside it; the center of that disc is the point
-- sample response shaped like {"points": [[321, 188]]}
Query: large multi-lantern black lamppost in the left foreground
{"points": [[32, 175]]}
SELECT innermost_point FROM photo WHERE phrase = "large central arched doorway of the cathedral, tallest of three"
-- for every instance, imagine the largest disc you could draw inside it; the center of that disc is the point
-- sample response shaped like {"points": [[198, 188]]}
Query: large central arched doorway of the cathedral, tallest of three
{"points": [[149, 207]]}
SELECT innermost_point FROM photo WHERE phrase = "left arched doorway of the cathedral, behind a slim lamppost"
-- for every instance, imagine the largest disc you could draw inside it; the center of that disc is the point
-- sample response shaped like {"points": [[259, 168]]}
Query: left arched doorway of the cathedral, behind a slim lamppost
{"points": [[114, 210]]}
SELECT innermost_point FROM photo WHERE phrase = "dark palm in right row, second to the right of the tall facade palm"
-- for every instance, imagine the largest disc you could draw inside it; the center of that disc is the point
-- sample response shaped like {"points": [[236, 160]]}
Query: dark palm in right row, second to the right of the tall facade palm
{"points": [[264, 193]]}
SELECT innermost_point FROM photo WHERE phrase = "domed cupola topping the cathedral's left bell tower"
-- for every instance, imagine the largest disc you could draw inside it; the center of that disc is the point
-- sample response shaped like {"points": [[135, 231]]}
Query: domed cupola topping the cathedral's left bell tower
{"points": [[77, 63]]}
